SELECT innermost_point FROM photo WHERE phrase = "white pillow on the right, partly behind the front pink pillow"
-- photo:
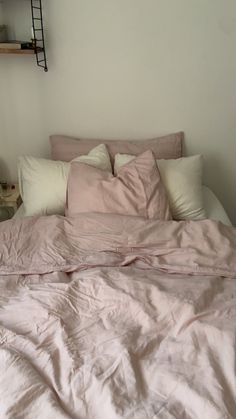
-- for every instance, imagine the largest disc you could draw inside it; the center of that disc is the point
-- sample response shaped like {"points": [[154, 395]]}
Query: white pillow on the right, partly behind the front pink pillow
{"points": [[183, 181]]}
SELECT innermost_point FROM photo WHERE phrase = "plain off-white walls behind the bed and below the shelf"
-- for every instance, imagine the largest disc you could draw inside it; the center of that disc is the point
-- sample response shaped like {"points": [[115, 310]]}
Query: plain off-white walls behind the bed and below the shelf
{"points": [[131, 69]]}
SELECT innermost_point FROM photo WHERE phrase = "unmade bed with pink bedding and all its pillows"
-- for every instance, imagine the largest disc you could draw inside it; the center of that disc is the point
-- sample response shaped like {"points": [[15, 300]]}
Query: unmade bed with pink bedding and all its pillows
{"points": [[117, 287]]}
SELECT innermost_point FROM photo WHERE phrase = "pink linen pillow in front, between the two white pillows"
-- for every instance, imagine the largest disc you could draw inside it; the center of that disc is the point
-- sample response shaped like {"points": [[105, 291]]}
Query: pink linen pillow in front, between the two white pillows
{"points": [[136, 190]]}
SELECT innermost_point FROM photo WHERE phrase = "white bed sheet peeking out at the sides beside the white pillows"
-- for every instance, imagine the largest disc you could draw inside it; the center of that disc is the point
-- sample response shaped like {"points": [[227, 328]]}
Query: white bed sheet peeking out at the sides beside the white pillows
{"points": [[214, 208]]}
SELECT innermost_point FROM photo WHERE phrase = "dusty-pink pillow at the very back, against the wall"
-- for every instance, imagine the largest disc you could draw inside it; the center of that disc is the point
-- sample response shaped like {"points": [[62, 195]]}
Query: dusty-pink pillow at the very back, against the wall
{"points": [[66, 148]]}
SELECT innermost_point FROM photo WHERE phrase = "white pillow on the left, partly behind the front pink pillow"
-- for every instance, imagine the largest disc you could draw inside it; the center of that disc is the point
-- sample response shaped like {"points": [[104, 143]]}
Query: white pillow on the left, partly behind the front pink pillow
{"points": [[43, 182]]}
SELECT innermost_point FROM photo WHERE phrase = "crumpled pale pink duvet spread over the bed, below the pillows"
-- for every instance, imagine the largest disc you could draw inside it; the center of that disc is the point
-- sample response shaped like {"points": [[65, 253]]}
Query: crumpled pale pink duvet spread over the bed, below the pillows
{"points": [[106, 316]]}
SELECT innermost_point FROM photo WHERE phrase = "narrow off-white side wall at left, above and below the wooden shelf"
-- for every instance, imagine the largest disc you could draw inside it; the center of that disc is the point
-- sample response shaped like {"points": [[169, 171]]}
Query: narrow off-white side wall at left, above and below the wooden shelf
{"points": [[21, 116]]}
